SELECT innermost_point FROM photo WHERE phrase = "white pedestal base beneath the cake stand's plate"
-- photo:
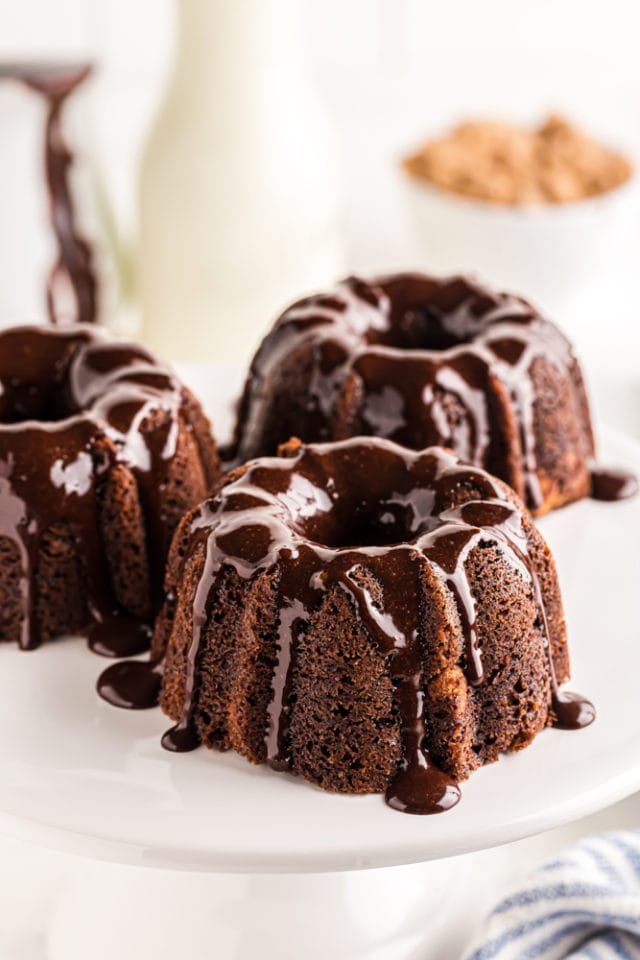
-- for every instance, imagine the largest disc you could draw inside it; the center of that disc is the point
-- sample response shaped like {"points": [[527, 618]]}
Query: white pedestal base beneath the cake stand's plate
{"points": [[136, 914]]}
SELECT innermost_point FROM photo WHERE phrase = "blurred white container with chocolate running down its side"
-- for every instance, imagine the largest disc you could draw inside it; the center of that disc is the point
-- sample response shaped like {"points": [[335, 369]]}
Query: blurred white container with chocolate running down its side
{"points": [[65, 268]]}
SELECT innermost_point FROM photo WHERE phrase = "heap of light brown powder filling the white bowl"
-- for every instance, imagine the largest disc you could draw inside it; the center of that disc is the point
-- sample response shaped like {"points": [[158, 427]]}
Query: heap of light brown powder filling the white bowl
{"points": [[489, 160]]}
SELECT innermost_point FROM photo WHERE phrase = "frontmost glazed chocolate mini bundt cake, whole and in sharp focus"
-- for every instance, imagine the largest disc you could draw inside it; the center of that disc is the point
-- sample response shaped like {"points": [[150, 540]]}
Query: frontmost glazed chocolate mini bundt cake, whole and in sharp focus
{"points": [[372, 618]]}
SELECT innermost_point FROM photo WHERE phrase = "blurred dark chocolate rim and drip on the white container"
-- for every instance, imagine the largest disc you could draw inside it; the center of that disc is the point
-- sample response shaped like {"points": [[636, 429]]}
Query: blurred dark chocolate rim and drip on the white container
{"points": [[74, 265]]}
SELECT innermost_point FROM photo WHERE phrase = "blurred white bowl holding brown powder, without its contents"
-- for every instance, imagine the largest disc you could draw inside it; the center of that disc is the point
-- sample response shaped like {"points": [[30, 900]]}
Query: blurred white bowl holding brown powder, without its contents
{"points": [[545, 253]]}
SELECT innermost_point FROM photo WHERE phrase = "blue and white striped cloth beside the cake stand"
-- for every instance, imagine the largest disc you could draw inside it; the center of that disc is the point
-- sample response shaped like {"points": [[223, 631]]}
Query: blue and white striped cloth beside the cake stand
{"points": [[585, 905]]}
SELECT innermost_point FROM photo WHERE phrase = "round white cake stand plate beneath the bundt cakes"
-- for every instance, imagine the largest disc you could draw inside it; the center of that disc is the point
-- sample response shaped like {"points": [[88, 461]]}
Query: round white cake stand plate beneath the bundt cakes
{"points": [[83, 776]]}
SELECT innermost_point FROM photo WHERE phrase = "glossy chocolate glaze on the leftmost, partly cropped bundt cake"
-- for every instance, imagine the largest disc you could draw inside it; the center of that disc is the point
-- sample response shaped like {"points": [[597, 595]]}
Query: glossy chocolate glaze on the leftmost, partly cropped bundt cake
{"points": [[72, 405]]}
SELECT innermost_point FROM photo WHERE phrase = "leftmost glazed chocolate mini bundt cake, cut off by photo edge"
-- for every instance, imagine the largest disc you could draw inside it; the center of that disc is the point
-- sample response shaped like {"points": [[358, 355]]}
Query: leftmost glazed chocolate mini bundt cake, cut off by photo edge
{"points": [[102, 451]]}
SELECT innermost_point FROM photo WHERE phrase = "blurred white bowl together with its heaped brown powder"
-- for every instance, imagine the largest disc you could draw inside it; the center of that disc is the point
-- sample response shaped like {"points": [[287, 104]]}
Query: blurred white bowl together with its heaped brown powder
{"points": [[536, 209]]}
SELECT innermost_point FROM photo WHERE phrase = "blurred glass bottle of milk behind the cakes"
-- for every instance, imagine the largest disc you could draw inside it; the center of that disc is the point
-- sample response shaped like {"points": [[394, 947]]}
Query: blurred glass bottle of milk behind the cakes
{"points": [[239, 189]]}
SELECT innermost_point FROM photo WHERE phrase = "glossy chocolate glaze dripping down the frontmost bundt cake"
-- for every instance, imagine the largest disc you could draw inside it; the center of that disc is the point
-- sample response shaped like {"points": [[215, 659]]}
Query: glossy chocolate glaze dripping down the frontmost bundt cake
{"points": [[333, 516]]}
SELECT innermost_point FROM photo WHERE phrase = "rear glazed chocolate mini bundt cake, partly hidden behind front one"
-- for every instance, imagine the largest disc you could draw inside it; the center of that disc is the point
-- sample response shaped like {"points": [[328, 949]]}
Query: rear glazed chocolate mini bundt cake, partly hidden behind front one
{"points": [[423, 361]]}
